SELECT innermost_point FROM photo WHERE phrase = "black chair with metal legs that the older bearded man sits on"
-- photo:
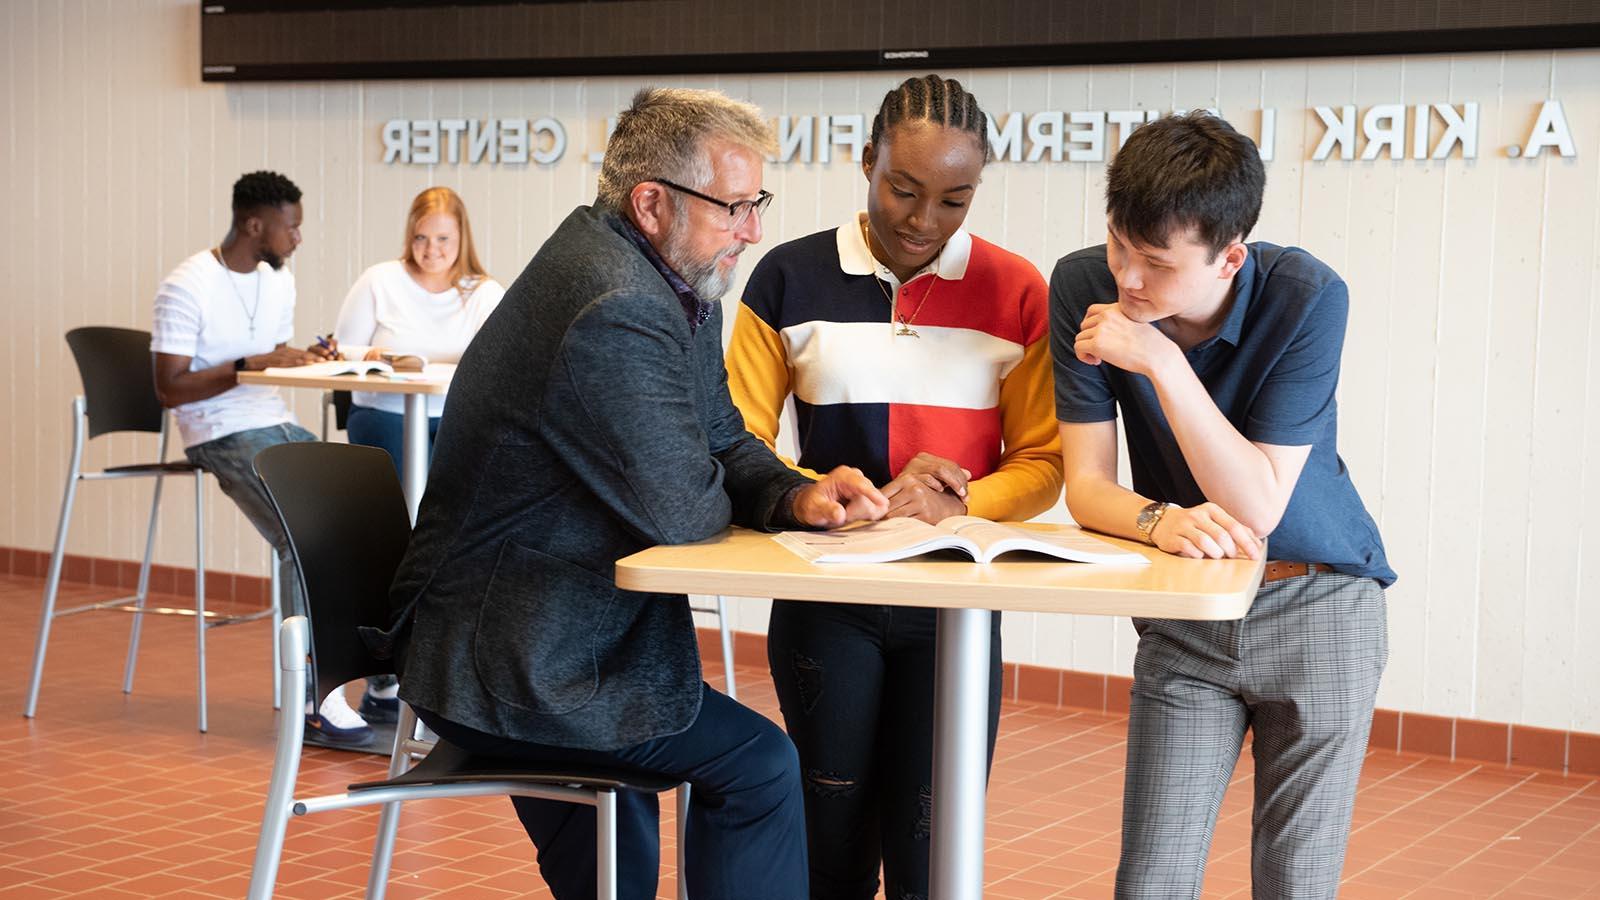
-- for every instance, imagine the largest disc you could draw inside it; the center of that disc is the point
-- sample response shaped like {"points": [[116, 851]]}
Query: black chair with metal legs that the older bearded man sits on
{"points": [[348, 524]]}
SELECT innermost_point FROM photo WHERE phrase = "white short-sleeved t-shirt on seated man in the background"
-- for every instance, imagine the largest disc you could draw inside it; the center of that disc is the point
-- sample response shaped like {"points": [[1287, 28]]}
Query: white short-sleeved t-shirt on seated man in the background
{"points": [[215, 316]]}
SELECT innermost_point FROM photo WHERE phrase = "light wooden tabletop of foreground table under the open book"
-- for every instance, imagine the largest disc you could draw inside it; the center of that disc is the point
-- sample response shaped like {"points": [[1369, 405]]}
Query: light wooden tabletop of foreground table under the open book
{"points": [[751, 565]]}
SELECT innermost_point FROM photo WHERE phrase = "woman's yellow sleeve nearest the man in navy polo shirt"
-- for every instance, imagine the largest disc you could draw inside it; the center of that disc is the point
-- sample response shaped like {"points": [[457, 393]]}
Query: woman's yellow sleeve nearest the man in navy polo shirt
{"points": [[1028, 480]]}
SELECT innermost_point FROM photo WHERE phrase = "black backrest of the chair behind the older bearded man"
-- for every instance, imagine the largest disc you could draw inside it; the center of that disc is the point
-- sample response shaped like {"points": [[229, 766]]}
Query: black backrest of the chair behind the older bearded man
{"points": [[348, 524]]}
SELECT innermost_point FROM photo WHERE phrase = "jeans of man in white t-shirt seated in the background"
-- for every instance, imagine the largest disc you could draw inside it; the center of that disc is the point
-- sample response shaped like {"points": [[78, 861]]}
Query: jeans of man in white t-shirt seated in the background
{"points": [[231, 460]]}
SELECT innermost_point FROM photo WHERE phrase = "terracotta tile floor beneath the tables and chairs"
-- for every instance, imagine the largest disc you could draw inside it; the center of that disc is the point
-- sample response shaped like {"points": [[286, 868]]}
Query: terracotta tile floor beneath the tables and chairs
{"points": [[114, 797]]}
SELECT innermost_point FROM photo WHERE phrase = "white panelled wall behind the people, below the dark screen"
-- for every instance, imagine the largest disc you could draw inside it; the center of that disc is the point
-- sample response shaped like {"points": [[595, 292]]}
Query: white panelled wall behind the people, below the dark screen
{"points": [[1470, 414]]}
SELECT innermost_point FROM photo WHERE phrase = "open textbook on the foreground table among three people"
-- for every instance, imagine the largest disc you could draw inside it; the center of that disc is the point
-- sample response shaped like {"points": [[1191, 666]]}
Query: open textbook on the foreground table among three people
{"points": [[898, 539]]}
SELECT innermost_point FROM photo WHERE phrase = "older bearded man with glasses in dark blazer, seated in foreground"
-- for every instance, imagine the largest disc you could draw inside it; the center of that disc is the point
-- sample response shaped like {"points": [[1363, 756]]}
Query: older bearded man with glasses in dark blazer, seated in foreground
{"points": [[590, 420]]}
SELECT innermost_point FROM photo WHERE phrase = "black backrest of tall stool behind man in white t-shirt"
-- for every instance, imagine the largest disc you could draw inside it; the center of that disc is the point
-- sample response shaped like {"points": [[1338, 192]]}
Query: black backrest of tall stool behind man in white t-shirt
{"points": [[119, 379]]}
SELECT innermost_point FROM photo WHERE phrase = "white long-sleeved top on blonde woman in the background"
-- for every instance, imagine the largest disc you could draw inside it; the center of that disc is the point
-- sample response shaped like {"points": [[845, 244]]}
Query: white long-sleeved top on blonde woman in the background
{"points": [[386, 308]]}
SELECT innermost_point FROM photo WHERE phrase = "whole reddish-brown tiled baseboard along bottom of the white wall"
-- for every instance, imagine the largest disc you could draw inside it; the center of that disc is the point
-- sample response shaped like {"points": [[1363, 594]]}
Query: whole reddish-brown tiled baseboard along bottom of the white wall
{"points": [[1412, 733]]}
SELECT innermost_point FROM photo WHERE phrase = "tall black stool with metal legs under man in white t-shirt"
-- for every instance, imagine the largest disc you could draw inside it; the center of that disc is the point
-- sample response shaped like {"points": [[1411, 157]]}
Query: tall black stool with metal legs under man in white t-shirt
{"points": [[119, 396]]}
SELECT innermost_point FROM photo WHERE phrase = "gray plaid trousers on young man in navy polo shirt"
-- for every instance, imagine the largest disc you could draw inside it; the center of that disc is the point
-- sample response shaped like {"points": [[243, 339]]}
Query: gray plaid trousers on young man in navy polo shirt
{"points": [[1302, 670]]}
